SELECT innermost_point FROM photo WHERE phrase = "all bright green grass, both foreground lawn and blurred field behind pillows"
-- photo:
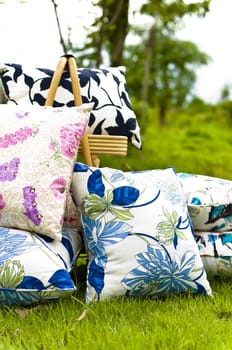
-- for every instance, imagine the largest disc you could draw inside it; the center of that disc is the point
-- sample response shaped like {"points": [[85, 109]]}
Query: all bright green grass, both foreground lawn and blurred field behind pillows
{"points": [[199, 144]]}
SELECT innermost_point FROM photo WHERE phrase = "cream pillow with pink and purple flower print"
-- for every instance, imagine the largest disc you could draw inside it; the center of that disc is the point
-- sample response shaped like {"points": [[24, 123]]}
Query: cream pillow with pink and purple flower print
{"points": [[38, 147]]}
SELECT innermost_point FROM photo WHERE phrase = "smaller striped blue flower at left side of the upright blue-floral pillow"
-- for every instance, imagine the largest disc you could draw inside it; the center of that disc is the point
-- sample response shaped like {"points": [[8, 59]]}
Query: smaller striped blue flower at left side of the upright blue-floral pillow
{"points": [[100, 234]]}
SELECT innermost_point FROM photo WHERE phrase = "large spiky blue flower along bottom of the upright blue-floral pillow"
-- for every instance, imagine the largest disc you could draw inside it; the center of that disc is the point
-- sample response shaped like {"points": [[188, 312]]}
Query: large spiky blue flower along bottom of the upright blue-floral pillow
{"points": [[159, 274]]}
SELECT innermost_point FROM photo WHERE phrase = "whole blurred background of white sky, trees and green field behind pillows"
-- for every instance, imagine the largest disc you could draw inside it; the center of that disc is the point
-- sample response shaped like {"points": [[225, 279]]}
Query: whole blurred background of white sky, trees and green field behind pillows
{"points": [[177, 55]]}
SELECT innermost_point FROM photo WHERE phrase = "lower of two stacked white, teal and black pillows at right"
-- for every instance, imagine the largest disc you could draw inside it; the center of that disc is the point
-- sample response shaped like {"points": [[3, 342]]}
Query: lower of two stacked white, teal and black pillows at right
{"points": [[216, 252]]}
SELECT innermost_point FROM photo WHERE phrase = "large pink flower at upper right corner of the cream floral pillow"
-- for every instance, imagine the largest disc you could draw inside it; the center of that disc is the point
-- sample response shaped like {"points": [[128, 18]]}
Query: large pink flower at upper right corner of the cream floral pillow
{"points": [[70, 135]]}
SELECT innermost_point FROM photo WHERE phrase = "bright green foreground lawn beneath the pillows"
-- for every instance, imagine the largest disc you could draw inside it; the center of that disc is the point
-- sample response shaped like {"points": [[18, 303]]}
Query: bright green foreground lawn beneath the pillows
{"points": [[183, 322]]}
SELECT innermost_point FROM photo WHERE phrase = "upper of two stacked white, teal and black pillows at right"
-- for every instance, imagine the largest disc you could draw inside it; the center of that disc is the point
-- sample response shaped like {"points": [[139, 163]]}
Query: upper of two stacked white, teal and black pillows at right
{"points": [[209, 201]]}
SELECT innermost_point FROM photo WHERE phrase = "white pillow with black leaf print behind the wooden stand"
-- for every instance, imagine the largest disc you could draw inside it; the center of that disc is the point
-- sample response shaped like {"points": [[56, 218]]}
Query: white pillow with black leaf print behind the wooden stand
{"points": [[112, 112]]}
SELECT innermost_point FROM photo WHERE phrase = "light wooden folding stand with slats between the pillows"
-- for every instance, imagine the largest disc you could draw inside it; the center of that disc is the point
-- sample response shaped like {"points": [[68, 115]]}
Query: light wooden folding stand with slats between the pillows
{"points": [[92, 146]]}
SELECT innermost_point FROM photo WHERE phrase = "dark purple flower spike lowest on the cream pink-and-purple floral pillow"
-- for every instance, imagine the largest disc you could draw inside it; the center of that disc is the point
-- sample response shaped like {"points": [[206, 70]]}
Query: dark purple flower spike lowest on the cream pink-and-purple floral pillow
{"points": [[30, 205]]}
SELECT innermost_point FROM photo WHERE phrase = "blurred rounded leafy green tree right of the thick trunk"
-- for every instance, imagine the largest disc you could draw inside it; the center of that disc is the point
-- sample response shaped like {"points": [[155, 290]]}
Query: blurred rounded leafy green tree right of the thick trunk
{"points": [[172, 72]]}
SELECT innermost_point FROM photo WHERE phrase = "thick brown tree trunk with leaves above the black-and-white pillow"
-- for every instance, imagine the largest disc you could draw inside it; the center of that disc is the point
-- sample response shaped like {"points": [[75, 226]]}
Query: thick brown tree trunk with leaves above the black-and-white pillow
{"points": [[107, 34]]}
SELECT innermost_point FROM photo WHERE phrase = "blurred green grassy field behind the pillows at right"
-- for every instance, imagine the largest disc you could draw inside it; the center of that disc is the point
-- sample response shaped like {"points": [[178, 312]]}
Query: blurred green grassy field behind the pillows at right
{"points": [[194, 142]]}
